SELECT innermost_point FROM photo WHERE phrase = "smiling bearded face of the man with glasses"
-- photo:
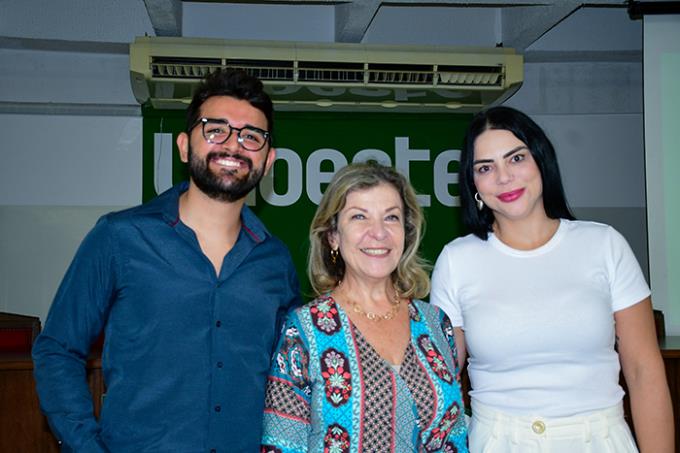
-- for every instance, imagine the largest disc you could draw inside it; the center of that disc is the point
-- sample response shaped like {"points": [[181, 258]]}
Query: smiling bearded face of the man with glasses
{"points": [[227, 171]]}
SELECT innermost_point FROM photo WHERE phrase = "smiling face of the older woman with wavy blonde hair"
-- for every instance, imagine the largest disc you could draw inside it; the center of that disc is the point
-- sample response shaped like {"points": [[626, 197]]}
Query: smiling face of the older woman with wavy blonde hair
{"points": [[370, 233]]}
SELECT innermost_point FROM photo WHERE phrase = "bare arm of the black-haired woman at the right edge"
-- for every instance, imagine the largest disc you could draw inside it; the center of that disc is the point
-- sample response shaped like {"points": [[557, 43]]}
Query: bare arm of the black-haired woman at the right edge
{"points": [[643, 370]]}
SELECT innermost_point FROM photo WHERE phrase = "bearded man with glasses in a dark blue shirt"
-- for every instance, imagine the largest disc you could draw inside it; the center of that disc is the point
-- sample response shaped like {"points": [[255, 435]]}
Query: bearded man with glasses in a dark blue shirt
{"points": [[190, 290]]}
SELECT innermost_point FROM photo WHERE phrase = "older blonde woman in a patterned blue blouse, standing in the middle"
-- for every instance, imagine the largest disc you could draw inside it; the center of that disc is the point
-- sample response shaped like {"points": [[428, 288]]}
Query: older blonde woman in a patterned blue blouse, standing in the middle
{"points": [[366, 366]]}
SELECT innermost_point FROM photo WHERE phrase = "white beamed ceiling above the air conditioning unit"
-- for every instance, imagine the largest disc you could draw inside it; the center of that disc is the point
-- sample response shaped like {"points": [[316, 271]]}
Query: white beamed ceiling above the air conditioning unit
{"points": [[106, 26]]}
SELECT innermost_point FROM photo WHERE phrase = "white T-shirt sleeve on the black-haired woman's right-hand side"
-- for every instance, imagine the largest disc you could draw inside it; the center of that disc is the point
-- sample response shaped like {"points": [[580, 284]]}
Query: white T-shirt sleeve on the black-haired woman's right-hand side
{"points": [[626, 281]]}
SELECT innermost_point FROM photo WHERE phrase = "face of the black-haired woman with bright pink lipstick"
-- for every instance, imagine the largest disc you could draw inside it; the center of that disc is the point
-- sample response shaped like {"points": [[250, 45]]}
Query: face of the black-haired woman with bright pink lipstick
{"points": [[507, 177]]}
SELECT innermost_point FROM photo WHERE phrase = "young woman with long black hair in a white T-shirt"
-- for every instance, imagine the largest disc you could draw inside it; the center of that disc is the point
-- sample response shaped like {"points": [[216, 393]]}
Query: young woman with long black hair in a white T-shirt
{"points": [[547, 308]]}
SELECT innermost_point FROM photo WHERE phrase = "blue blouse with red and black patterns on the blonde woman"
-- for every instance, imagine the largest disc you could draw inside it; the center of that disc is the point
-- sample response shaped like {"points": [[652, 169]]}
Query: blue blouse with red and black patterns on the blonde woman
{"points": [[330, 391]]}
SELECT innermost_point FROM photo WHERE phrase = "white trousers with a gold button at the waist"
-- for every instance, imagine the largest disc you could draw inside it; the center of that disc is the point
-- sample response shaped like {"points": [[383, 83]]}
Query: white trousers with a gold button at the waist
{"points": [[603, 431]]}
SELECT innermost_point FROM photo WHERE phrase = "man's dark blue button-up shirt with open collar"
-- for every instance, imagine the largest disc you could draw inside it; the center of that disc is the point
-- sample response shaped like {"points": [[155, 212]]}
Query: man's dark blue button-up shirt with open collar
{"points": [[187, 352]]}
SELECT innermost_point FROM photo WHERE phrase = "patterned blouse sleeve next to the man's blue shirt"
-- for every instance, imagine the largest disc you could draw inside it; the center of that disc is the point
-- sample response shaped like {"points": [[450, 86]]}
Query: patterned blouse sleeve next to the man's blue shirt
{"points": [[287, 413]]}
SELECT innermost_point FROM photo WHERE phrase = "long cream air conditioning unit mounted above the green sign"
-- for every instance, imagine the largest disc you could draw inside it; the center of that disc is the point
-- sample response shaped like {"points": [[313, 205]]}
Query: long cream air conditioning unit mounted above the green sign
{"points": [[337, 76]]}
